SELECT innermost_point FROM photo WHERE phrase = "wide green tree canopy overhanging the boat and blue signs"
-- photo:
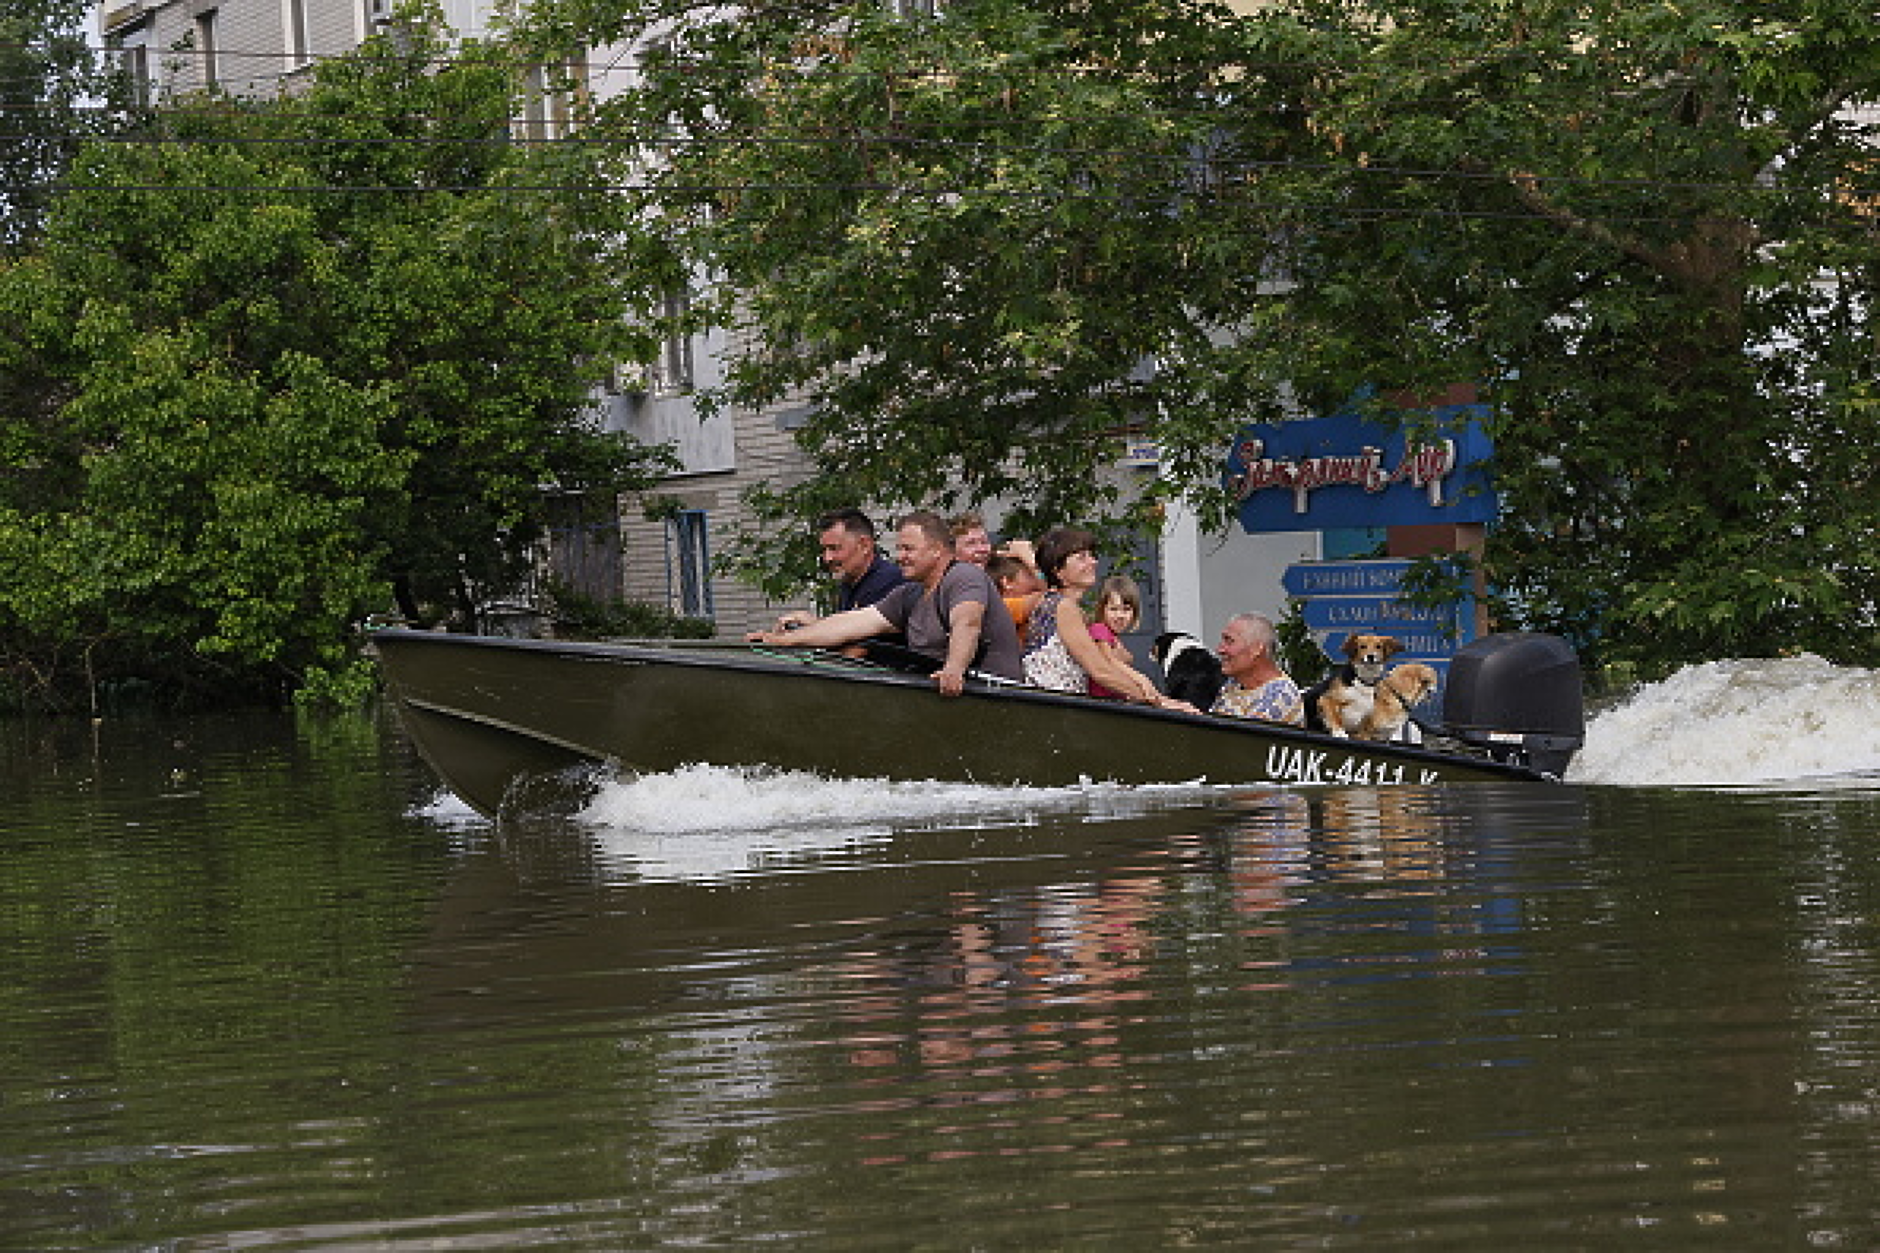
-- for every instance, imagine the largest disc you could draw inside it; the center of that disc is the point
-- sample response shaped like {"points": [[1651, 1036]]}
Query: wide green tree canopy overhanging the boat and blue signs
{"points": [[988, 242]]}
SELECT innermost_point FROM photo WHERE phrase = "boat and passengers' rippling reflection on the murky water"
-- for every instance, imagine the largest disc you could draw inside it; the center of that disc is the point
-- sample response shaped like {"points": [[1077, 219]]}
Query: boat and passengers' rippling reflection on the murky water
{"points": [[1086, 994]]}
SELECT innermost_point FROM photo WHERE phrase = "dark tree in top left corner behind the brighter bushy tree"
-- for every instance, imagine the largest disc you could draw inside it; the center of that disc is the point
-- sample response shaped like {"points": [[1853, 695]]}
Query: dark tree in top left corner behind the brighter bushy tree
{"points": [[52, 97]]}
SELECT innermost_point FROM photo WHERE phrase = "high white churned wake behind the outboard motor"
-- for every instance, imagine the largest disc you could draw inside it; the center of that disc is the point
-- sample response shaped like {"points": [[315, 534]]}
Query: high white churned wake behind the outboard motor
{"points": [[1742, 723]]}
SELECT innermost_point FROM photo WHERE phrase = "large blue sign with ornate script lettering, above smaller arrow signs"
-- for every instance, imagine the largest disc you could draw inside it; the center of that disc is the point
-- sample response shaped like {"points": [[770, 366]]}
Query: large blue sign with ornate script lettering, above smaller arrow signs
{"points": [[1349, 471]]}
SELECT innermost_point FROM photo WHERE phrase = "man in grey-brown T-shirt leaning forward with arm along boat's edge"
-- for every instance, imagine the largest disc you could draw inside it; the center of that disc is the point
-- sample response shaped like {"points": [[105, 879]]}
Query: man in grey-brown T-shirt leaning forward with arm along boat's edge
{"points": [[948, 611]]}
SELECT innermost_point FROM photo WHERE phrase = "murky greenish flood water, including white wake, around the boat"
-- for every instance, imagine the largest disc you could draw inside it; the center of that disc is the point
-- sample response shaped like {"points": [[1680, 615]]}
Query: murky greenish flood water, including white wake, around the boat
{"points": [[264, 987]]}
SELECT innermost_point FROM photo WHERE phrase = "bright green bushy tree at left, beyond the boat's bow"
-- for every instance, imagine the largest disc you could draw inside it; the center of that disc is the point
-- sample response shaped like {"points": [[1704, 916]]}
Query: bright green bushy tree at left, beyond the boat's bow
{"points": [[287, 364]]}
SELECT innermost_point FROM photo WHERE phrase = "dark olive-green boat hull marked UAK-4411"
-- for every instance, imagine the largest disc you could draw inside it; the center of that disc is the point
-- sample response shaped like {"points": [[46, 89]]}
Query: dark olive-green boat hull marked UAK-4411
{"points": [[488, 714]]}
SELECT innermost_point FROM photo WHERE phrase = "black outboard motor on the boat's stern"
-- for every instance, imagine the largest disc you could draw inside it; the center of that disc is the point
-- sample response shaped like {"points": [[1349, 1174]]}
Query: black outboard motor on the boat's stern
{"points": [[1518, 695]]}
